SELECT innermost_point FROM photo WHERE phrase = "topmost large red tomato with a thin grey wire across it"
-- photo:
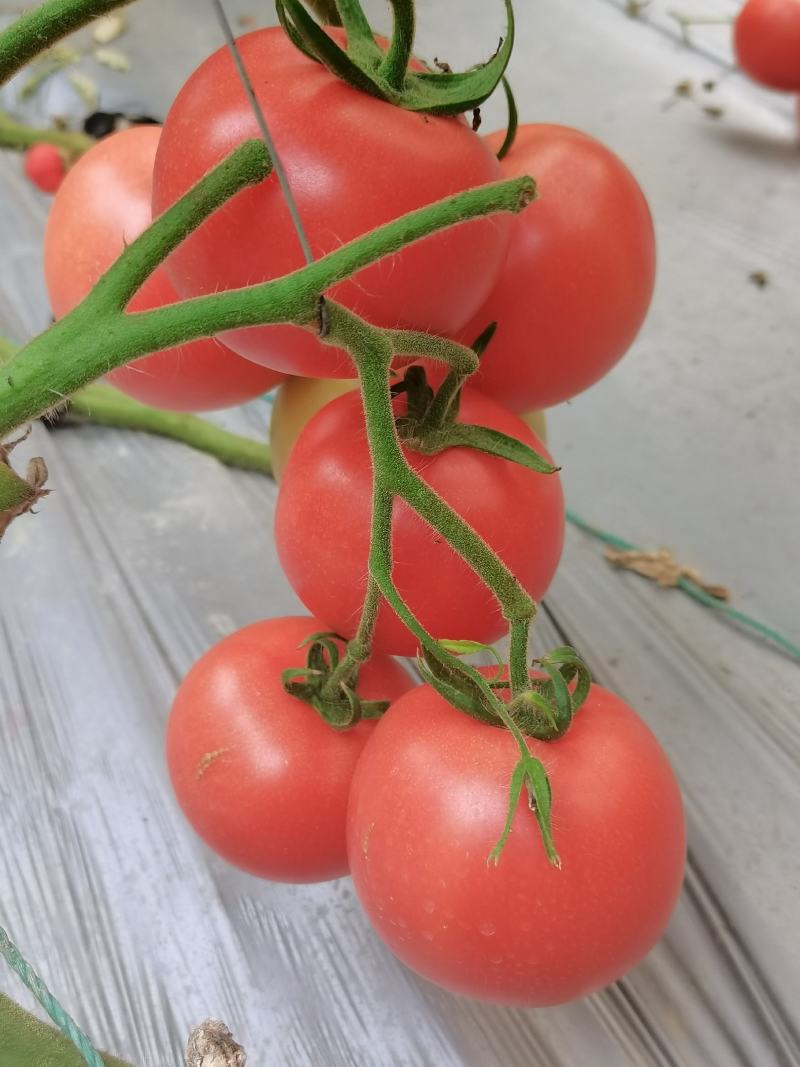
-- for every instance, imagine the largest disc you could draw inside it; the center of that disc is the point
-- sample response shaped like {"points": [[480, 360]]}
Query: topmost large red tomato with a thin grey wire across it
{"points": [[354, 163]]}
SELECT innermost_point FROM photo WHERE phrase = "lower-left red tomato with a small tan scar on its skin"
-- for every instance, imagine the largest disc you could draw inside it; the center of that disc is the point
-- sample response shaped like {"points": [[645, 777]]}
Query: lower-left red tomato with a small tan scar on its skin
{"points": [[260, 775]]}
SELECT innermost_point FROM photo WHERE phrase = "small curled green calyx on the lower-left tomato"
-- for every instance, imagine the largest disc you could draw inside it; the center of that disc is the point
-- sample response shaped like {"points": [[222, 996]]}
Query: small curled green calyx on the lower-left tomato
{"points": [[329, 690]]}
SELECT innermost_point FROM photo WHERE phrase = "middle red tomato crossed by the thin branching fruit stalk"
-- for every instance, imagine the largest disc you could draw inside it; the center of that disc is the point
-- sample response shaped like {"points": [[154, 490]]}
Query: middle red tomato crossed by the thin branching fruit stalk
{"points": [[323, 522]]}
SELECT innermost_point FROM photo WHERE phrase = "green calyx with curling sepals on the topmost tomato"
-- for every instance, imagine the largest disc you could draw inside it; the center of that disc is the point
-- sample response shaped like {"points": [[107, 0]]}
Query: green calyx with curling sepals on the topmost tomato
{"points": [[388, 74]]}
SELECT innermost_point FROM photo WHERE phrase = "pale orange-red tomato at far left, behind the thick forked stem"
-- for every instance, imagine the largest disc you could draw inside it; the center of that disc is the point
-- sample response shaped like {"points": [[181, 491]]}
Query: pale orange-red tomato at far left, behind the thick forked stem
{"points": [[104, 204]]}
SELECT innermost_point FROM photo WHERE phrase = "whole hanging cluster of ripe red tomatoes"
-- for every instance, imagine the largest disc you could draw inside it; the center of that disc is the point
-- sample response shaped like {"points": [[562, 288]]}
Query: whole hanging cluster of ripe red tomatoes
{"points": [[286, 768]]}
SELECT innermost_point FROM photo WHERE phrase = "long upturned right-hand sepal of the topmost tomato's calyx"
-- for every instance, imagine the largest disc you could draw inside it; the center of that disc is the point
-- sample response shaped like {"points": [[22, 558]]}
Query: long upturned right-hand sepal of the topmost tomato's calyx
{"points": [[451, 94]]}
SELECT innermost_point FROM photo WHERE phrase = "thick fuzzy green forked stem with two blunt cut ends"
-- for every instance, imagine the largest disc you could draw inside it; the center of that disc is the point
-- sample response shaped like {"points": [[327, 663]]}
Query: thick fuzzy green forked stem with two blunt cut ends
{"points": [[97, 337]]}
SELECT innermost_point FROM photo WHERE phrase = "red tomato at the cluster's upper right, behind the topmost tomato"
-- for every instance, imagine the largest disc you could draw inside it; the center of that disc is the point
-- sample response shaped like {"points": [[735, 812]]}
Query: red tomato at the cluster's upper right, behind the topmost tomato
{"points": [[579, 277]]}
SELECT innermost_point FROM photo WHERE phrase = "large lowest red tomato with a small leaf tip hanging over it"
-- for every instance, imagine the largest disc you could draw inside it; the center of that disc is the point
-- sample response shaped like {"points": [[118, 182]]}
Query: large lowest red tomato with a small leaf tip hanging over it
{"points": [[427, 806]]}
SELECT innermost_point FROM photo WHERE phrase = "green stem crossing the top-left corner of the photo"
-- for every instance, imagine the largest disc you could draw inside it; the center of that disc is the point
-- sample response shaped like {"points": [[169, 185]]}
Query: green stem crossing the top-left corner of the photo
{"points": [[37, 30]]}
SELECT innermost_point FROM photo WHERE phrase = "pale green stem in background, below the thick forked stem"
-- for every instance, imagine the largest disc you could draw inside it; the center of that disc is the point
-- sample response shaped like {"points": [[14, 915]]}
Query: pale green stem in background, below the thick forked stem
{"points": [[108, 407]]}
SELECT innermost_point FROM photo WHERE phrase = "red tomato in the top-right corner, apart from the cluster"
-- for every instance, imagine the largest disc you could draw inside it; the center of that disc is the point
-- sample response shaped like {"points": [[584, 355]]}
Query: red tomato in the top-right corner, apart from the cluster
{"points": [[767, 42]]}
